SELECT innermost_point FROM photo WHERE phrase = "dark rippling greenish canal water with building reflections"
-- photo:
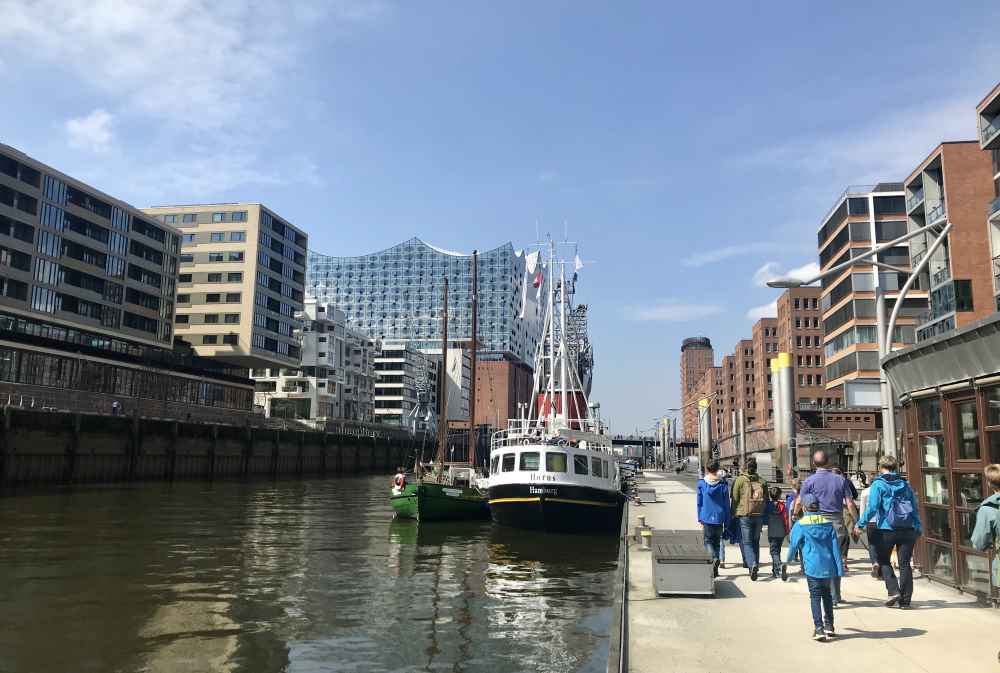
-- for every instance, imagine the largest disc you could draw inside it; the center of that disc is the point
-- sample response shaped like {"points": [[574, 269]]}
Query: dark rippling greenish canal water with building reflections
{"points": [[297, 576]]}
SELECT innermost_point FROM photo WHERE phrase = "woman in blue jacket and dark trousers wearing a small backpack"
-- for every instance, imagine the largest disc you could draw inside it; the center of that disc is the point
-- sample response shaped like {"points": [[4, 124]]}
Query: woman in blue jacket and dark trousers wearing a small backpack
{"points": [[894, 506]]}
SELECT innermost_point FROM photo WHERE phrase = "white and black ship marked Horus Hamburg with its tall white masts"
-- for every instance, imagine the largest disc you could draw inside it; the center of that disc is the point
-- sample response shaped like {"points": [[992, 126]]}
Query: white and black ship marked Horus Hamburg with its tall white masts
{"points": [[555, 470]]}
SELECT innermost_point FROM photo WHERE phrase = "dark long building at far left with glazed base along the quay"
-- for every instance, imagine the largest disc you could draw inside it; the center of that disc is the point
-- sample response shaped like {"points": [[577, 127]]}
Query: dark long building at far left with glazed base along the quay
{"points": [[87, 288]]}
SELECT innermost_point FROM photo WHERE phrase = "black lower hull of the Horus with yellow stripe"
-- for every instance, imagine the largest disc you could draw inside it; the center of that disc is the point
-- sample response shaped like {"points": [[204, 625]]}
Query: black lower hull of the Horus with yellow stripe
{"points": [[557, 508]]}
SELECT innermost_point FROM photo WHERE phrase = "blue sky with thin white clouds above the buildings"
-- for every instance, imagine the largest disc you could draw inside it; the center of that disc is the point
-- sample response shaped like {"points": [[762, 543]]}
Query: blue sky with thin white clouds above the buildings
{"points": [[691, 148]]}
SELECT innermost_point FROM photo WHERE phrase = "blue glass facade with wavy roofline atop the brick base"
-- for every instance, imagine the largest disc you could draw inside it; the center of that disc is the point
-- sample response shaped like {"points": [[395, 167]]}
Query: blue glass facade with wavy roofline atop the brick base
{"points": [[396, 294]]}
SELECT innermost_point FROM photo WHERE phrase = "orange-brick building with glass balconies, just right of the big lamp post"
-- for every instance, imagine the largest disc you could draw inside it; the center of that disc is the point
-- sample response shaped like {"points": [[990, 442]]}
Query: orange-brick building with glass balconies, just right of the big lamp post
{"points": [[951, 185]]}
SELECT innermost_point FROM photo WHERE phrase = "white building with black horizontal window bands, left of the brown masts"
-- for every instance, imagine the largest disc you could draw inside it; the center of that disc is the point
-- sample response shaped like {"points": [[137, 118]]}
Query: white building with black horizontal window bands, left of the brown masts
{"points": [[406, 380]]}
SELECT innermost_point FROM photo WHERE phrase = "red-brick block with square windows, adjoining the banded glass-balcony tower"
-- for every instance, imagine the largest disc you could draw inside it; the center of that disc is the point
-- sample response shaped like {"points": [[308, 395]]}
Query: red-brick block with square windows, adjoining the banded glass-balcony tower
{"points": [[800, 332]]}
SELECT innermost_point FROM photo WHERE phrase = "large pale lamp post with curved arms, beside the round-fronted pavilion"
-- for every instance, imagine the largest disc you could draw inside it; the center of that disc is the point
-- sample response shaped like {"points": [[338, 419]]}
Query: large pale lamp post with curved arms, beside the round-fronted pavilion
{"points": [[883, 336]]}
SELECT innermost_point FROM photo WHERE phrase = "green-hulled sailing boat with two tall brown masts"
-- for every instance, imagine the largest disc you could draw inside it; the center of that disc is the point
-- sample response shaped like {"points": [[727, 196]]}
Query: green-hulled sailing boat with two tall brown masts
{"points": [[448, 494]]}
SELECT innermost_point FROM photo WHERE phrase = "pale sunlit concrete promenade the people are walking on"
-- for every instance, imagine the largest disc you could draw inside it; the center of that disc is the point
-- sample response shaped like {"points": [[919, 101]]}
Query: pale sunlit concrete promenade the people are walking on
{"points": [[766, 626]]}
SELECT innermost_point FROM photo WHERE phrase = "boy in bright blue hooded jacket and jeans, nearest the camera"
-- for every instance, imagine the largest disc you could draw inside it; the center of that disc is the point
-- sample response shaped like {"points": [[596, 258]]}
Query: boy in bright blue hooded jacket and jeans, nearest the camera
{"points": [[814, 537]]}
